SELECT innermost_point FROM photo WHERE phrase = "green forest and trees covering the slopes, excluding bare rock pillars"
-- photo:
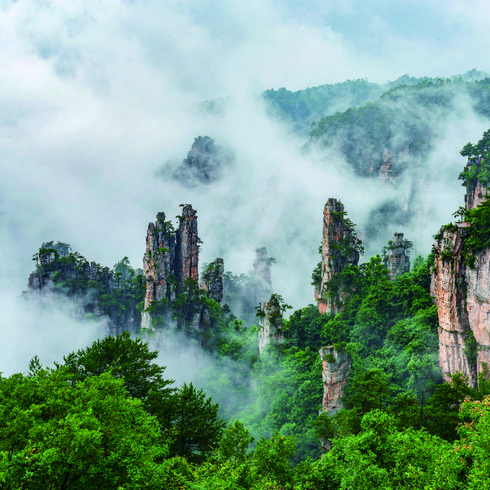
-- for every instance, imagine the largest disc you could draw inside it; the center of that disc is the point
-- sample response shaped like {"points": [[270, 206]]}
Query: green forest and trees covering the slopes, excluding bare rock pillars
{"points": [[107, 417]]}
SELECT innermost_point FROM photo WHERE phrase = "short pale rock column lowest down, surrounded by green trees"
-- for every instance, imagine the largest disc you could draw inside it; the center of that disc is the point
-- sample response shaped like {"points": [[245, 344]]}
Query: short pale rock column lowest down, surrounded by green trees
{"points": [[336, 369]]}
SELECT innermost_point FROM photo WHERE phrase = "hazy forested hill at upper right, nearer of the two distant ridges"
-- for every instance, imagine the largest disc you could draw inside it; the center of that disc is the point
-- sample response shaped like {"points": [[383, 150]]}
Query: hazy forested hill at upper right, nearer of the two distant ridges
{"points": [[405, 119]]}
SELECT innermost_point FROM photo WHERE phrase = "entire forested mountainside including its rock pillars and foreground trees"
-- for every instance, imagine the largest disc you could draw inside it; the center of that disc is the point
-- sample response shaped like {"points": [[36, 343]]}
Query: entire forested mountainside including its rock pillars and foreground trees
{"points": [[344, 393]]}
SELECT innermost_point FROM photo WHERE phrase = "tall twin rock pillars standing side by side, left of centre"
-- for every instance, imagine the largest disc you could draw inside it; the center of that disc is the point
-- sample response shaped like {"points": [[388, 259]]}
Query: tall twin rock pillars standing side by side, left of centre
{"points": [[171, 259]]}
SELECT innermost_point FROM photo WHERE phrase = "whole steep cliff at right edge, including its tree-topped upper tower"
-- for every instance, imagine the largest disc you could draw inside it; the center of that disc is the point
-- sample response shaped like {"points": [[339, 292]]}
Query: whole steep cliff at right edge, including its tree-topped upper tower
{"points": [[461, 279]]}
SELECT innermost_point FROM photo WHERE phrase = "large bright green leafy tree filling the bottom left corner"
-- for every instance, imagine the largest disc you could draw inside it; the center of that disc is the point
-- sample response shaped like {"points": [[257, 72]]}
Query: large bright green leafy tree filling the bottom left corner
{"points": [[56, 433]]}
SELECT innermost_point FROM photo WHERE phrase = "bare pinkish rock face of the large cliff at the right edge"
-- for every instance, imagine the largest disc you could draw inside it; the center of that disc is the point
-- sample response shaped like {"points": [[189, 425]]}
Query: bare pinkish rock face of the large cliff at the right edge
{"points": [[462, 294]]}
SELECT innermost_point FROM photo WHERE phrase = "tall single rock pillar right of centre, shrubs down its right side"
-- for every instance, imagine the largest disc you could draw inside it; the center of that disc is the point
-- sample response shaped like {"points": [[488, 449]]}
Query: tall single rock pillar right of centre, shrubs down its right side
{"points": [[339, 249]]}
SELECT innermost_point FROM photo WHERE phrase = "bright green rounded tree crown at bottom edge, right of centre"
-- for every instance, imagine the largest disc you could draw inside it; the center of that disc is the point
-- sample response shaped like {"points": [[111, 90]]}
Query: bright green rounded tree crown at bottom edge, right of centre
{"points": [[381, 456]]}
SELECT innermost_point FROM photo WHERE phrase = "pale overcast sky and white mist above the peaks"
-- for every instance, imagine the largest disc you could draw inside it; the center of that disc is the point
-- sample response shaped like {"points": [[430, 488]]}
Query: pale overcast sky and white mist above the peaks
{"points": [[96, 96]]}
